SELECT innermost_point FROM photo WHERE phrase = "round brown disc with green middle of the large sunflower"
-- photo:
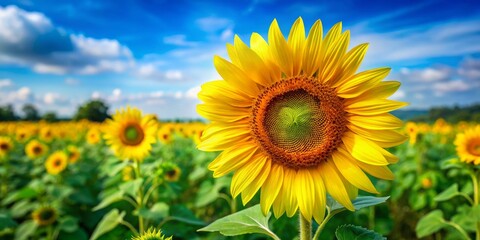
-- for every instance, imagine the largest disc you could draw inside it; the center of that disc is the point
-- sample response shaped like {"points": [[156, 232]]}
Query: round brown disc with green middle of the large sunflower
{"points": [[298, 121]]}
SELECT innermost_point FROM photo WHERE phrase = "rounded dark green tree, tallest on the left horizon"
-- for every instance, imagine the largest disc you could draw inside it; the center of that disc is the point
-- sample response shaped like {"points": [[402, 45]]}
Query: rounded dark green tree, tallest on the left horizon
{"points": [[94, 110]]}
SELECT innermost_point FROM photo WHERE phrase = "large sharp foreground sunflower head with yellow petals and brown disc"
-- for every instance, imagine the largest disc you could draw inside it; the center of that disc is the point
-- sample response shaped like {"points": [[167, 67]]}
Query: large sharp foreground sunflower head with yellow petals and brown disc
{"points": [[295, 121]]}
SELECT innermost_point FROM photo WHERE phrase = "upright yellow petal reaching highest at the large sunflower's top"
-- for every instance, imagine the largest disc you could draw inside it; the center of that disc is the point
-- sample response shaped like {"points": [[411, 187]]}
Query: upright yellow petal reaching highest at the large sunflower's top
{"points": [[296, 41]]}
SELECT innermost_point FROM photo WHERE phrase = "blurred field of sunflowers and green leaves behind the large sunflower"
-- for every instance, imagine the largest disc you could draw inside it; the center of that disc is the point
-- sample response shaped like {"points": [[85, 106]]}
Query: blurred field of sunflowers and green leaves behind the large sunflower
{"points": [[62, 181]]}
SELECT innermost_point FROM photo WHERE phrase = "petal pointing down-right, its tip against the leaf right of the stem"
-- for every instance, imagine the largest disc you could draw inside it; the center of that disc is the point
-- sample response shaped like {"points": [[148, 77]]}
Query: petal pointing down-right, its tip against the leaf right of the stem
{"points": [[334, 184]]}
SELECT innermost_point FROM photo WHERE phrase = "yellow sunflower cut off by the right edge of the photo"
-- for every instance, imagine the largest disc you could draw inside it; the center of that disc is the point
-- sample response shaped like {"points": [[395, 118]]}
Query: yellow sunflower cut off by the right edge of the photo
{"points": [[468, 145]]}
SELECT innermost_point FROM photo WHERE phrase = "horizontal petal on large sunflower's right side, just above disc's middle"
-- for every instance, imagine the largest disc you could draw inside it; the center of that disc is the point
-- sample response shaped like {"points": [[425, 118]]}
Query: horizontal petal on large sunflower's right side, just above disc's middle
{"points": [[374, 107]]}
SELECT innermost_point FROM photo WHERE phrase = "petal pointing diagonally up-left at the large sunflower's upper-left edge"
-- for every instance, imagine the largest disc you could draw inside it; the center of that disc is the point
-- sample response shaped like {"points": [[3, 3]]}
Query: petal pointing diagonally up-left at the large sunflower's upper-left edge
{"points": [[235, 77]]}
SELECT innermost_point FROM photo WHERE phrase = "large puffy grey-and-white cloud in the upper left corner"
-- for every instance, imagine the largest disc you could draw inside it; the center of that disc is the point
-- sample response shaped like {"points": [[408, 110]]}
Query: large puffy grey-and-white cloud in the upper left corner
{"points": [[30, 39]]}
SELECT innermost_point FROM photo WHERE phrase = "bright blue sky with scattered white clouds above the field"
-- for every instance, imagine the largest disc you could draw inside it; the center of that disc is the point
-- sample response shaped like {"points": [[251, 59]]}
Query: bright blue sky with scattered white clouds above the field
{"points": [[155, 54]]}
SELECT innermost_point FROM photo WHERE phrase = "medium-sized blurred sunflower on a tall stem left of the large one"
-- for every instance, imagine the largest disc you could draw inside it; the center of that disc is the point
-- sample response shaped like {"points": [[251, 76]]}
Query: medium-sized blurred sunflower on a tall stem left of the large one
{"points": [[130, 135]]}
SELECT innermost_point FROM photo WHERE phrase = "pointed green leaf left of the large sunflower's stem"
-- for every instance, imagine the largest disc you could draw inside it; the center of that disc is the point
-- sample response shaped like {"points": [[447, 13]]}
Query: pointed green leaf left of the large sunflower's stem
{"points": [[250, 220]]}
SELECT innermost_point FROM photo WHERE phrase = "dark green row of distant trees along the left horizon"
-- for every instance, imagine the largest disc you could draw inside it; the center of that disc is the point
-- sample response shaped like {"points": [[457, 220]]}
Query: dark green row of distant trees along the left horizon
{"points": [[93, 110]]}
